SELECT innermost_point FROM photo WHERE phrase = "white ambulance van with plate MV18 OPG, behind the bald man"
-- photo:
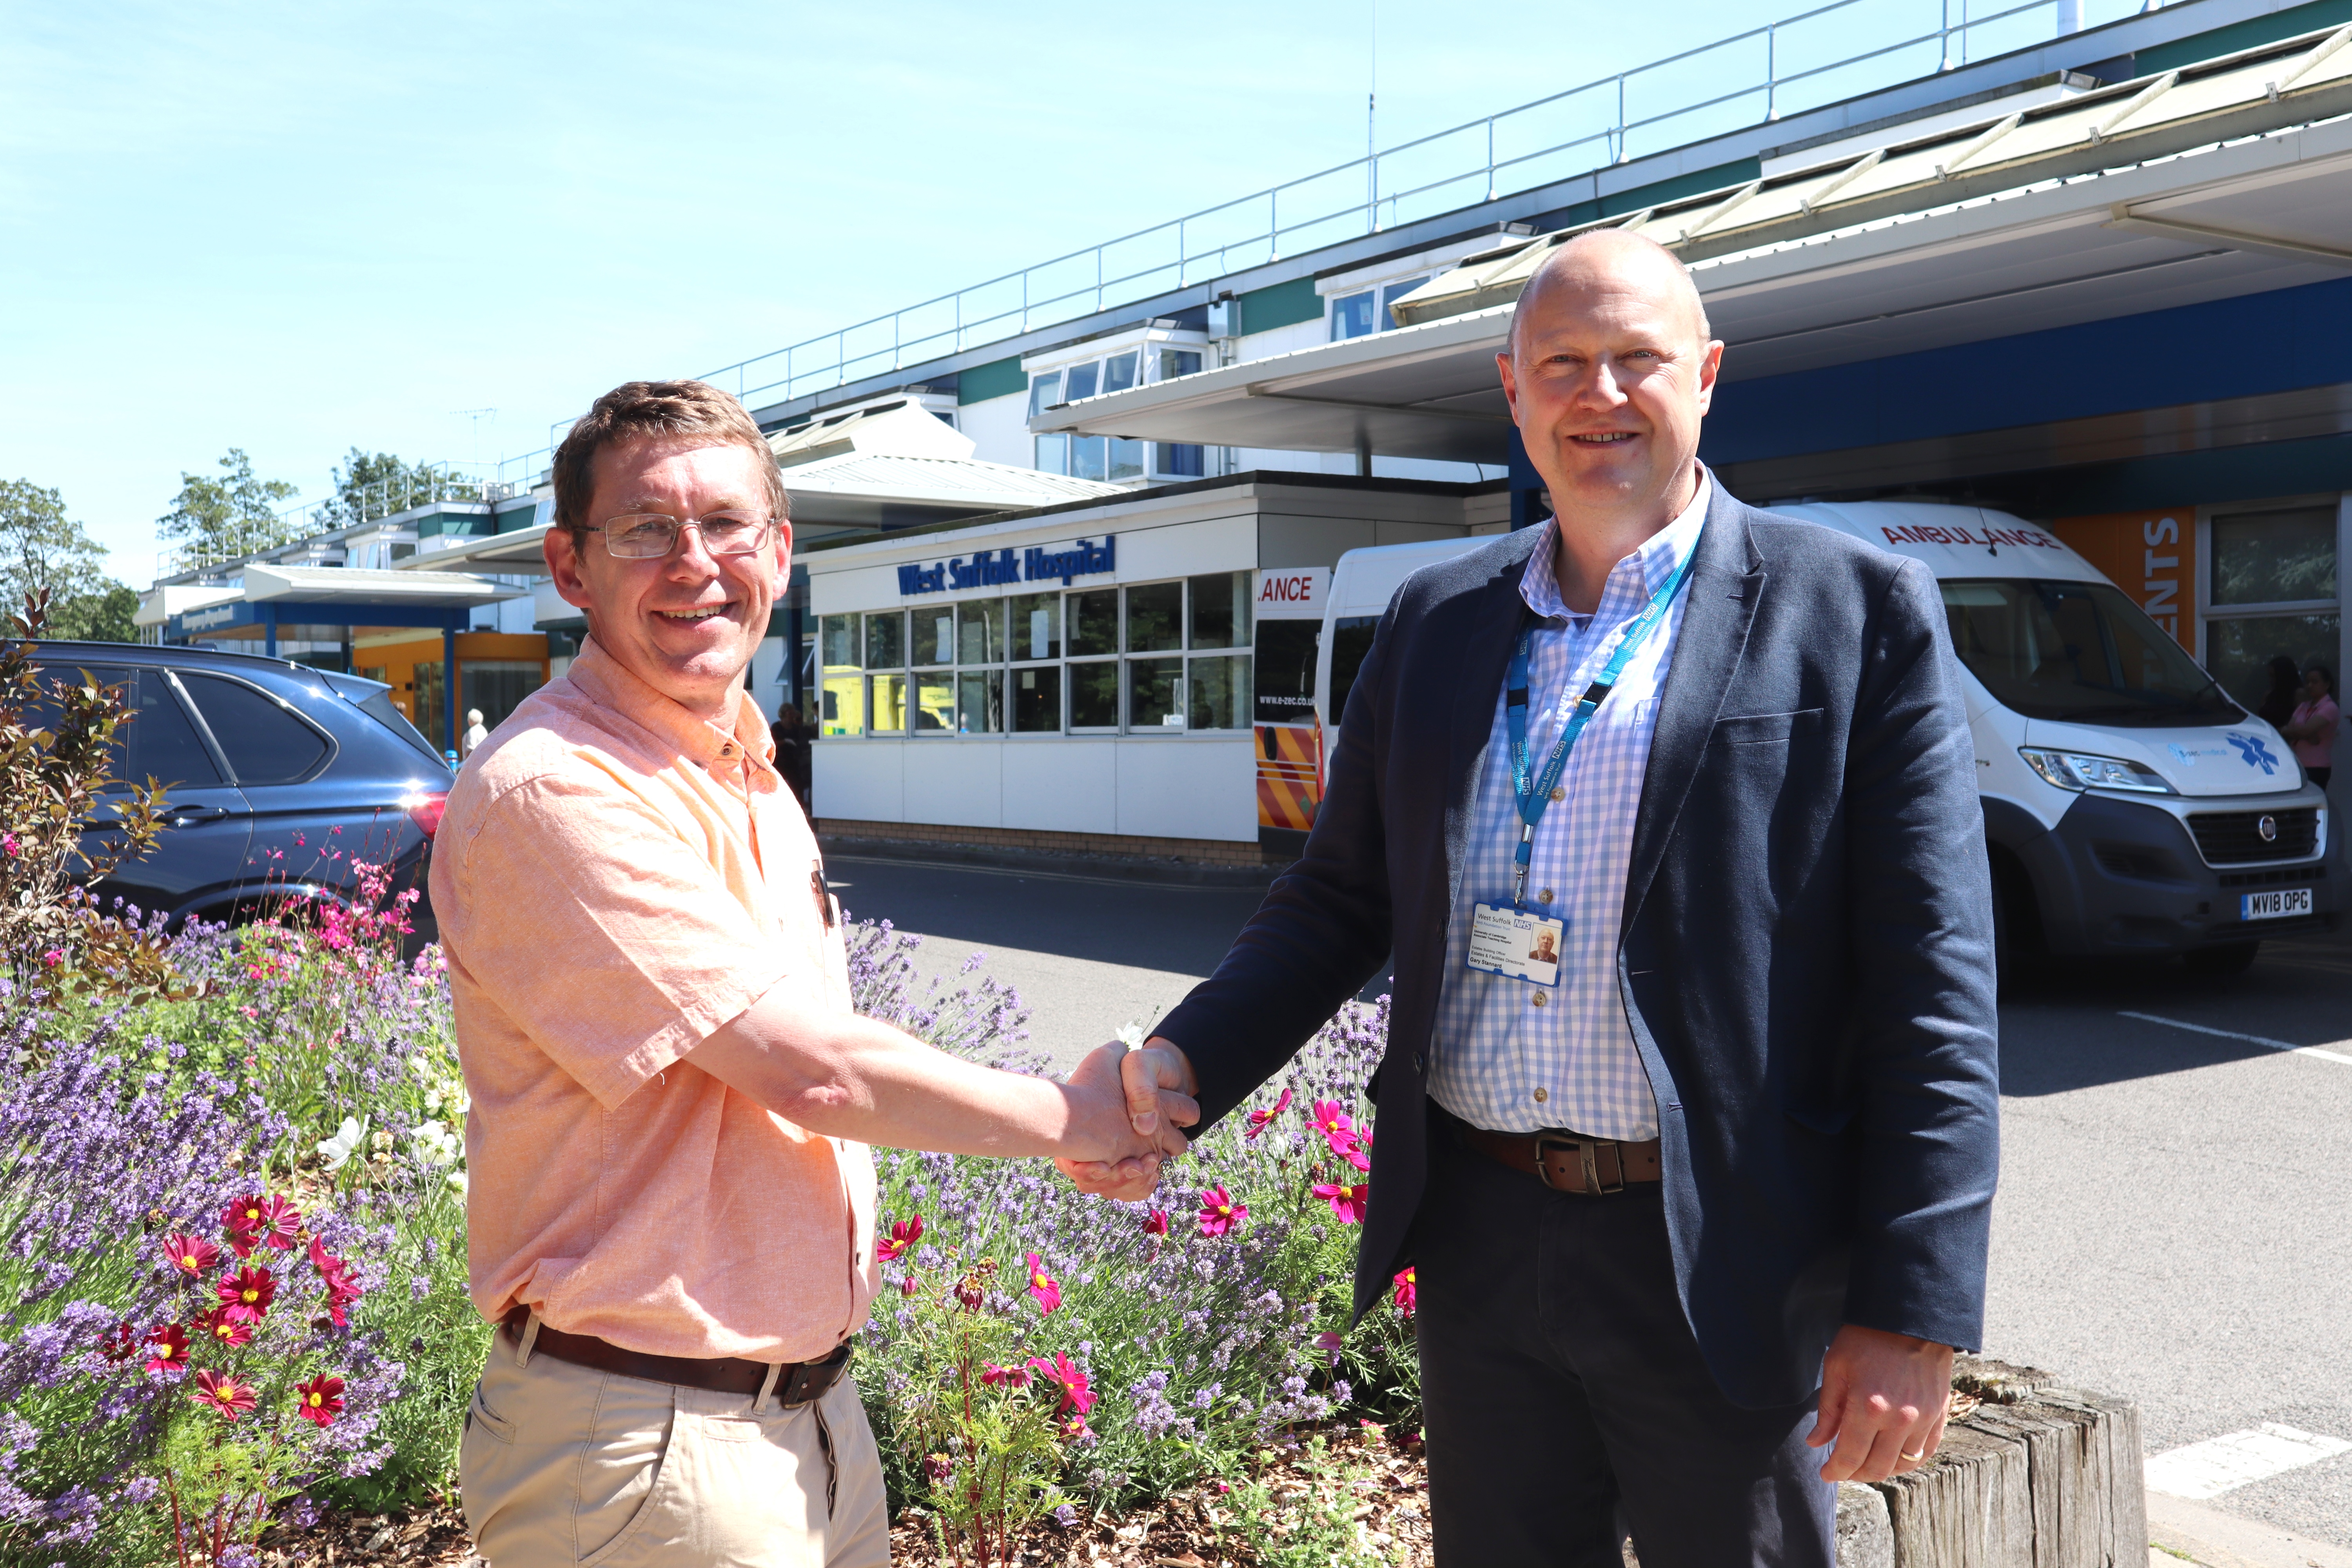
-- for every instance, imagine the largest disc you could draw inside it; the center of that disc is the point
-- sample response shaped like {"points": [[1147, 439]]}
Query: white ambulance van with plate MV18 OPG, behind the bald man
{"points": [[2130, 805]]}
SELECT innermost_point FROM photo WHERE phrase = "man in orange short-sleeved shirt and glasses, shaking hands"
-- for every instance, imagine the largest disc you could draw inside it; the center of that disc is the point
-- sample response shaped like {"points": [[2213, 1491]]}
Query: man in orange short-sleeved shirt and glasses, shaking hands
{"points": [[671, 1207]]}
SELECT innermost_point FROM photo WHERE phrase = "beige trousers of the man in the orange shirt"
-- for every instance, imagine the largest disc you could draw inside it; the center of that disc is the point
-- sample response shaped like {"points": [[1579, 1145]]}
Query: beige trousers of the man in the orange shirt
{"points": [[566, 1468]]}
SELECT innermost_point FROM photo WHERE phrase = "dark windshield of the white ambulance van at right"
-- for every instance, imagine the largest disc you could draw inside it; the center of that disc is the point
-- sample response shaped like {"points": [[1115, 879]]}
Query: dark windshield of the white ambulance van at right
{"points": [[2078, 652]]}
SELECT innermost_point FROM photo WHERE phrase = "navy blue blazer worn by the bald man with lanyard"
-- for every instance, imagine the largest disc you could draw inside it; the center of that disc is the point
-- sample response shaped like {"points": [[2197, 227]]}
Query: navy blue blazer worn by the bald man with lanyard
{"points": [[1805, 951]]}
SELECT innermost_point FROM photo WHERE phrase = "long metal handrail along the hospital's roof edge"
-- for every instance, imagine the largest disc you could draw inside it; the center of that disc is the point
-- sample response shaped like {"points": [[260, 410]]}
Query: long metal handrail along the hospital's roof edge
{"points": [[902, 337]]}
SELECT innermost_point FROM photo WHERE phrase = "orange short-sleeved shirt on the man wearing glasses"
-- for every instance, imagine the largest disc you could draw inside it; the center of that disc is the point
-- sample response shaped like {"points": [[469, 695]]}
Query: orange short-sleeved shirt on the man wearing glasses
{"points": [[615, 880]]}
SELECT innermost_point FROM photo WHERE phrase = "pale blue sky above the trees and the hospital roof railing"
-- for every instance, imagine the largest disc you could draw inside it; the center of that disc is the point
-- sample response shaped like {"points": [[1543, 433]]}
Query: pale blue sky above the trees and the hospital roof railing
{"points": [[309, 227]]}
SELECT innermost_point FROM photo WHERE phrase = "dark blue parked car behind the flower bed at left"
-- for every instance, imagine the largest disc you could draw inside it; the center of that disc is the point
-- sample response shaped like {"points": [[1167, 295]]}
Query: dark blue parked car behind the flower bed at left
{"points": [[279, 777]]}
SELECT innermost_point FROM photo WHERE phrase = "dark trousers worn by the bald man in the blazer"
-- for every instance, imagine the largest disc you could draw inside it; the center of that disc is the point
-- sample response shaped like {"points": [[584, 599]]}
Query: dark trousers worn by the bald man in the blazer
{"points": [[1565, 1393]]}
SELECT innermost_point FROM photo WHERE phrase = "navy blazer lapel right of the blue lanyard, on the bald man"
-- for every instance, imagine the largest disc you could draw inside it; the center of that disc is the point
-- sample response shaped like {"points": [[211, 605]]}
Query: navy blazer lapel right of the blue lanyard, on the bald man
{"points": [[1728, 579]]}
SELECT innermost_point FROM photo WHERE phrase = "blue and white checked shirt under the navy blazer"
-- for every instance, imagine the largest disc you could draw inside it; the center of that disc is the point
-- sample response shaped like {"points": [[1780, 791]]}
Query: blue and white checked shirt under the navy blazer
{"points": [[1518, 1057]]}
